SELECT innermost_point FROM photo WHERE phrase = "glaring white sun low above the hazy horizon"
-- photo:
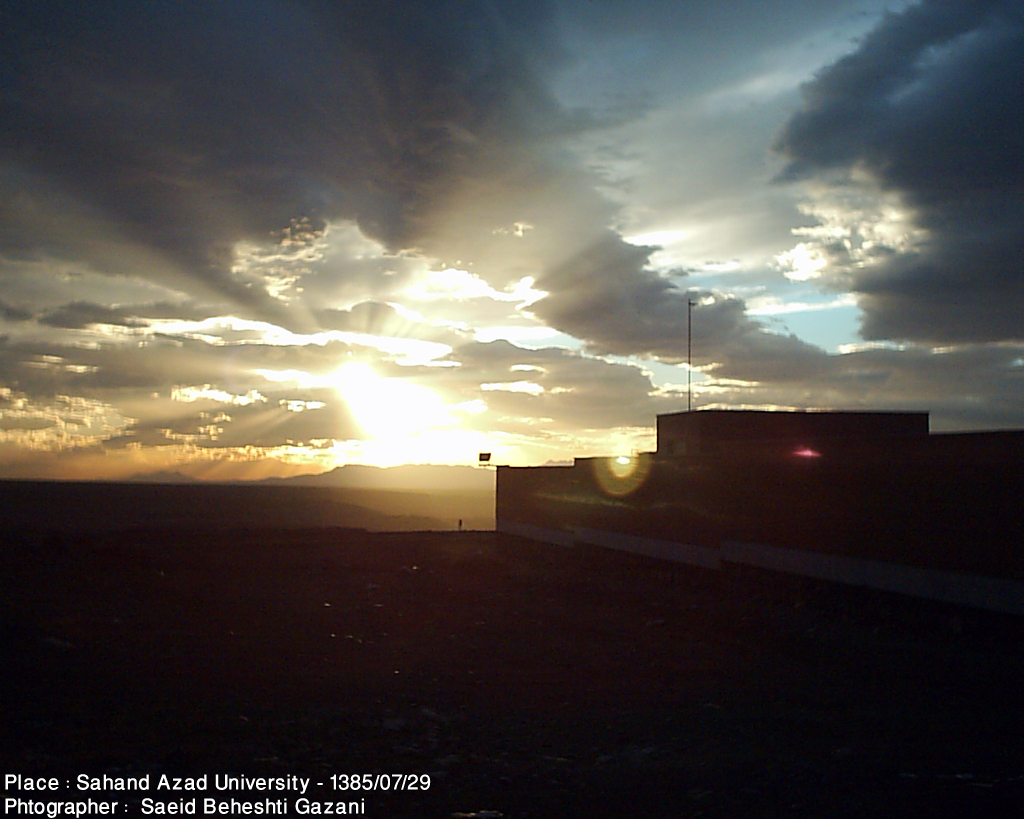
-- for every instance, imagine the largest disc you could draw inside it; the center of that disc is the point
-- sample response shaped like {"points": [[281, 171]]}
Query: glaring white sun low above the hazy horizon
{"points": [[389, 408]]}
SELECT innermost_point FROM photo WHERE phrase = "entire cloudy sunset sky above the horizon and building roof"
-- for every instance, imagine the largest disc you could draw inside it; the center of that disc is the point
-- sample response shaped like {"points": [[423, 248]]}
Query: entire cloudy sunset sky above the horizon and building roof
{"points": [[260, 238]]}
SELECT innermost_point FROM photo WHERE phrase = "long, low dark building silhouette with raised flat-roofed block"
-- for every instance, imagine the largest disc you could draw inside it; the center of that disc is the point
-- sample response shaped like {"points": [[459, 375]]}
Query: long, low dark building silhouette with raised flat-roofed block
{"points": [[866, 498]]}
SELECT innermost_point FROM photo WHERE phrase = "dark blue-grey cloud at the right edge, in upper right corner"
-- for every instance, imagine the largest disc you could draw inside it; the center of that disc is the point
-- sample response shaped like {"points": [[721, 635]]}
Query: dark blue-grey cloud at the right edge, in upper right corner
{"points": [[931, 108]]}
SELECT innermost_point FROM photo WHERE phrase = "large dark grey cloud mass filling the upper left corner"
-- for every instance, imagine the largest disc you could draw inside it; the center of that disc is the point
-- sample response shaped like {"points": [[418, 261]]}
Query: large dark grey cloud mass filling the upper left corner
{"points": [[179, 130]]}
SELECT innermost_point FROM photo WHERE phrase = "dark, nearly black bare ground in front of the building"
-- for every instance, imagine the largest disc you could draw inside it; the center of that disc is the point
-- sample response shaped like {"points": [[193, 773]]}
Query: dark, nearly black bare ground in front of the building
{"points": [[527, 680]]}
